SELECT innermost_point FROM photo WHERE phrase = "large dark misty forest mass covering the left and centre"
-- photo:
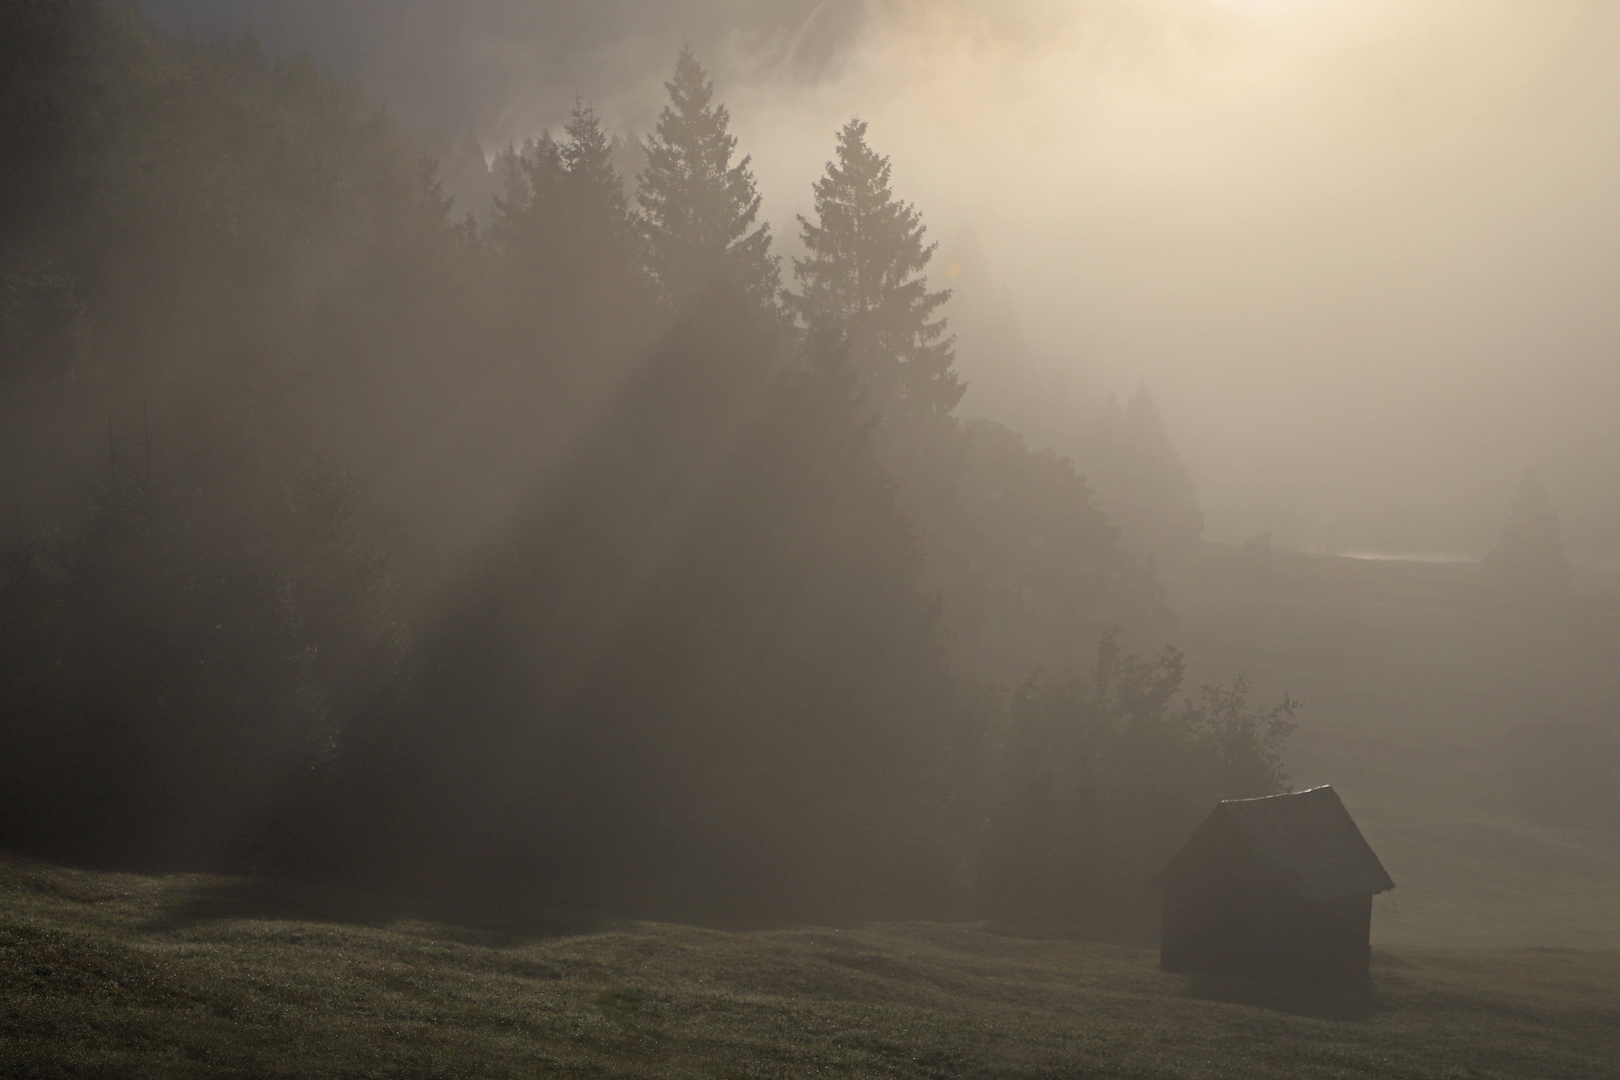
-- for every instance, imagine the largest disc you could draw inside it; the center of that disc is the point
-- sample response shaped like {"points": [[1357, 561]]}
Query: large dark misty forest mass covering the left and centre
{"points": [[573, 555]]}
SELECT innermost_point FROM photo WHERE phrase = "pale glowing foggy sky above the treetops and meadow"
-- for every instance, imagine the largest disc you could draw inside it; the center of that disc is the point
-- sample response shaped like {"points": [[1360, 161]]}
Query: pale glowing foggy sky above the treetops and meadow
{"points": [[1362, 253]]}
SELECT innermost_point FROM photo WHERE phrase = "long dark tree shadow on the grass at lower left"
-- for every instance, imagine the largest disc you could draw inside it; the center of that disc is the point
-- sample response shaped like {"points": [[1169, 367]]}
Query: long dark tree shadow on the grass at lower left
{"points": [[471, 922]]}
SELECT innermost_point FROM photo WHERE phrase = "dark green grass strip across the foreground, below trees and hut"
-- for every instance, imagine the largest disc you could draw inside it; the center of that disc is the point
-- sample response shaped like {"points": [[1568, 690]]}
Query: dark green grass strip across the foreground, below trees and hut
{"points": [[108, 976]]}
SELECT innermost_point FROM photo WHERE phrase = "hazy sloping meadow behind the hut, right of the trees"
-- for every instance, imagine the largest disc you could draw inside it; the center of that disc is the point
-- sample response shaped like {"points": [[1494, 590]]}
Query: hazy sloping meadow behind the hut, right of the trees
{"points": [[1417, 678]]}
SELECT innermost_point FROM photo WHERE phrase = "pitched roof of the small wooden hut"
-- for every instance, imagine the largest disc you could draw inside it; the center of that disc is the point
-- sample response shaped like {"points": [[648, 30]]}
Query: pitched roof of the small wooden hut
{"points": [[1308, 841]]}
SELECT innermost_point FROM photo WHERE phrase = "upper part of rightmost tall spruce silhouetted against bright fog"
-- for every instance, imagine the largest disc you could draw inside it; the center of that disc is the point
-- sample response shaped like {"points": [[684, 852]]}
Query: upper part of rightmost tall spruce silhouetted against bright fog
{"points": [[864, 279]]}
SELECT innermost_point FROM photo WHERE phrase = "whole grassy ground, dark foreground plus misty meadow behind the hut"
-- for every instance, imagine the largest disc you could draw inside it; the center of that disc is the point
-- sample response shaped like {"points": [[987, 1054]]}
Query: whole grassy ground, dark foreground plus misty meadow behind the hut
{"points": [[1494, 958]]}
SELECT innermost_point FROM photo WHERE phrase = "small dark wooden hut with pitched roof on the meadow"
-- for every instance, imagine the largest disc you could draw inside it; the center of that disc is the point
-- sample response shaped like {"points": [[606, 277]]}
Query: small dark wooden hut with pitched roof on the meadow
{"points": [[1273, 888]]}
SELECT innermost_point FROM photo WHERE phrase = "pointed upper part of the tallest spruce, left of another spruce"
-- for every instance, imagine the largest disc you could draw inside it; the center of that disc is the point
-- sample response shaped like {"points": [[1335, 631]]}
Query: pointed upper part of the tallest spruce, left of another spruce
{"points": [[699, 211]]}
